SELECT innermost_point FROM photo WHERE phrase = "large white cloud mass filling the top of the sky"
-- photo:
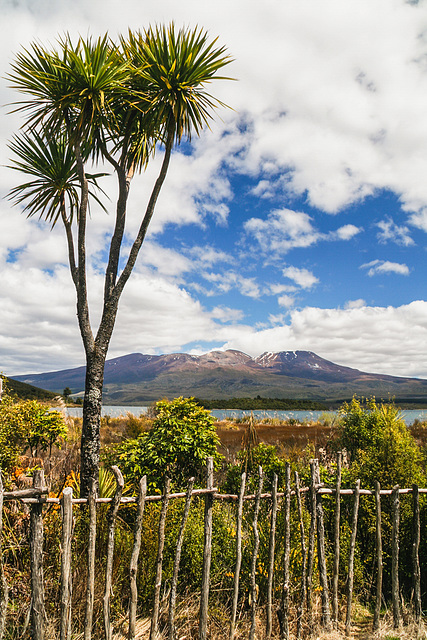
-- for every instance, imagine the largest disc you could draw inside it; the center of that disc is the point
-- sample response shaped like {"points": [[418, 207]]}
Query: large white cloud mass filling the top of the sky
{"points": [[347, 117]]}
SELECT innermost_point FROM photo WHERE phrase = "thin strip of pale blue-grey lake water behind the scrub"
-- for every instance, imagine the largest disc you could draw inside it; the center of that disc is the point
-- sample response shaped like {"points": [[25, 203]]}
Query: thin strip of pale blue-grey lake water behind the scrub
{"points": [[232, 414]]}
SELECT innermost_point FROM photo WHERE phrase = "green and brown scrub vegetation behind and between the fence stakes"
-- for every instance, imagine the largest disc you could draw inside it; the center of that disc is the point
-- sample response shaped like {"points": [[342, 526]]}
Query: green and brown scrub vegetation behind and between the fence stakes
{"points": [[175, 441]]}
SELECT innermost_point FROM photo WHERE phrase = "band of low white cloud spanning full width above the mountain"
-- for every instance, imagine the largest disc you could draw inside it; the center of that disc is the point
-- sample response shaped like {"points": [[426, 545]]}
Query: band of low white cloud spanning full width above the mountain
{"points": [[39, 327]]}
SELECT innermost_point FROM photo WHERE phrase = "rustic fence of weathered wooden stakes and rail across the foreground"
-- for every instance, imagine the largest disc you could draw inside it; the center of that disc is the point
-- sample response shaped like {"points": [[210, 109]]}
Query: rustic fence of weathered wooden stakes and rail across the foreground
{"points": [[312, 553]]}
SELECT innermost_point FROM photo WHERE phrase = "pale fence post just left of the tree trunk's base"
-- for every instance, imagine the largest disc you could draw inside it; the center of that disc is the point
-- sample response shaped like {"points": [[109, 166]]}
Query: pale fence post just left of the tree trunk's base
{"points": [[66, 585]]}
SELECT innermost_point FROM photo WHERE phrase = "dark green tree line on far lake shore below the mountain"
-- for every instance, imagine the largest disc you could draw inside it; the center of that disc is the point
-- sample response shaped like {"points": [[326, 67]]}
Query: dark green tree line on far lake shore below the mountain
{"points": [[279, 404]]}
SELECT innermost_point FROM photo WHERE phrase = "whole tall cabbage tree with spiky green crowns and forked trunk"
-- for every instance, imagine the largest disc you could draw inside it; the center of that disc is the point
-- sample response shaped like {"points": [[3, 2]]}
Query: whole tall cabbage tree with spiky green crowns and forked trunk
{"points": [[94, 103]]}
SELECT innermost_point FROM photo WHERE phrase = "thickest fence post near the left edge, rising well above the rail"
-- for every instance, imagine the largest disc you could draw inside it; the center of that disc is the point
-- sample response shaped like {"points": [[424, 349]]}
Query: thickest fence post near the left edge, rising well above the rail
{"points": [[38, 614]]}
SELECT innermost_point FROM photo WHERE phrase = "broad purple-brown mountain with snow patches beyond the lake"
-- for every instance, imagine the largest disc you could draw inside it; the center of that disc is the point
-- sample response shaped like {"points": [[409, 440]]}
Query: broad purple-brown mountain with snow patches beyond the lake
{"points": [[138, 378]]}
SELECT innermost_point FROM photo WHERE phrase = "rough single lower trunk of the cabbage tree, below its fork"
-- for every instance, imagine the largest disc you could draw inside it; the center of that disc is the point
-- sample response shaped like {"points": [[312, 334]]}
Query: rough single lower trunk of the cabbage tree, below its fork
{"points": [[90, 441]]}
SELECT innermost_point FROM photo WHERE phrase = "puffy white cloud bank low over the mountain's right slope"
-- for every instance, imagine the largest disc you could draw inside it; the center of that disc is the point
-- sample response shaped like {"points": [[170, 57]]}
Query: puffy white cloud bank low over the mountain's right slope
{"points": [[374, 339]]}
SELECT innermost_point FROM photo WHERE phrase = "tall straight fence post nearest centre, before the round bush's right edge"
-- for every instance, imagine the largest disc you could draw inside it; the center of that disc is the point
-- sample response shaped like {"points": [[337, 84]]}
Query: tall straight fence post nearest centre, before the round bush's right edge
{"points": [[207, 553]]}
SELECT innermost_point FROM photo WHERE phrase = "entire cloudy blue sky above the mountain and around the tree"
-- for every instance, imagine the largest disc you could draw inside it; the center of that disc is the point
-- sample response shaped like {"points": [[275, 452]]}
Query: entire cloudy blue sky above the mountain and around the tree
{"points": [[298, 221]]}
